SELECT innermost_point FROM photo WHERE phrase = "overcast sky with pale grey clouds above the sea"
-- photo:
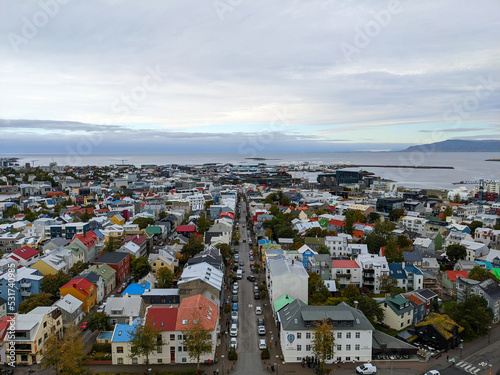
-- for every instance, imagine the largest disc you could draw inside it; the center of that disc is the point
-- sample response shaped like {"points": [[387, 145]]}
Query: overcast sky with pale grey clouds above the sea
{"points": [[225, 75]]}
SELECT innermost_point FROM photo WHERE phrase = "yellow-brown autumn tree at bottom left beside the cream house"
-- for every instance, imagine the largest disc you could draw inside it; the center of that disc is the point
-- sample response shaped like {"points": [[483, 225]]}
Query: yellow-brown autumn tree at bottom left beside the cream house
{"points": [[66, 354]]}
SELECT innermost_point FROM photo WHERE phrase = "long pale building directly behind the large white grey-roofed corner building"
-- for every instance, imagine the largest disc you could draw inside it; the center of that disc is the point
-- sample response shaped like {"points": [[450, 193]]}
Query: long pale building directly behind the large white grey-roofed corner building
{"points": [[285, 276]]}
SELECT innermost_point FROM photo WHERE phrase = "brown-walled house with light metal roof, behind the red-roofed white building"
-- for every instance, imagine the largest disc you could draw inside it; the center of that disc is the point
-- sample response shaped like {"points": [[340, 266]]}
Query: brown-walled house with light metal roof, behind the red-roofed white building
{"points": [[201, 278]]}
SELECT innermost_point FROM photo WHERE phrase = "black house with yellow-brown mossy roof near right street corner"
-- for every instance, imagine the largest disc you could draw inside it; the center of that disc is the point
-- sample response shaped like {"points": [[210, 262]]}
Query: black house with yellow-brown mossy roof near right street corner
{"points": [[440, 332]]}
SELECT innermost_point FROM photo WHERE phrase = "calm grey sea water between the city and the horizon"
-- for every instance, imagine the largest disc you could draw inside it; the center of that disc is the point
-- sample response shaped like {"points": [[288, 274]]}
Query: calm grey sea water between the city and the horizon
{"points": [[467, 165]]}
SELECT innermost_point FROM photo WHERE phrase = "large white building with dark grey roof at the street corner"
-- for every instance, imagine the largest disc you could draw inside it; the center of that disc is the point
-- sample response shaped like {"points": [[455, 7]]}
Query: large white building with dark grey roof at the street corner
{"points": [[353, 331]]}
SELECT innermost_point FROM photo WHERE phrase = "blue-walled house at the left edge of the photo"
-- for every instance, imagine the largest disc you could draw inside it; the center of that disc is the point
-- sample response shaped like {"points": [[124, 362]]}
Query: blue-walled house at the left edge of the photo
{"points": [[27, 282]]}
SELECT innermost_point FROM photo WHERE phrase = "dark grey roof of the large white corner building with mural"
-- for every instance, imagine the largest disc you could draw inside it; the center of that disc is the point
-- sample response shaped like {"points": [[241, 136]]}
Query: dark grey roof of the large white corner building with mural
{"points": [[295, 315]]}
